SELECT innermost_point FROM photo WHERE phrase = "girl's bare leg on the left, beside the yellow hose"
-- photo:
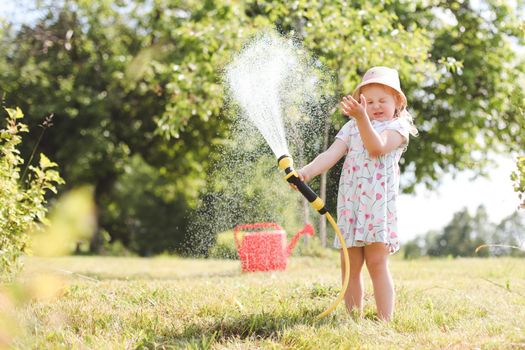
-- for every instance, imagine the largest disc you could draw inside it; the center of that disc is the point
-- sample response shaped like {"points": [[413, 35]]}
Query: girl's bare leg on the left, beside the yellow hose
{"points": [[354, 292]]}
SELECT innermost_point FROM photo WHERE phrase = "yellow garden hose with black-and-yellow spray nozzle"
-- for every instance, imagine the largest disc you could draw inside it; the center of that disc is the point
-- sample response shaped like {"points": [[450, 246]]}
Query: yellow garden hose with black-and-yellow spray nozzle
{"points": [[286, 163]]}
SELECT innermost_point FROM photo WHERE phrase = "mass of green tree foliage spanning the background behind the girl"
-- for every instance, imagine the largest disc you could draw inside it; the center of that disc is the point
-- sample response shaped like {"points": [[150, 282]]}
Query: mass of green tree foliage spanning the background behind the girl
{"points": [[143, 79]]}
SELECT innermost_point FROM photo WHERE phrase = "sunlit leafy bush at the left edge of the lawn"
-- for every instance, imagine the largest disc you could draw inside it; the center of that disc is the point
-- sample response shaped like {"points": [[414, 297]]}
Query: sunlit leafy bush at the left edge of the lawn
{"points": [[22, 201]]}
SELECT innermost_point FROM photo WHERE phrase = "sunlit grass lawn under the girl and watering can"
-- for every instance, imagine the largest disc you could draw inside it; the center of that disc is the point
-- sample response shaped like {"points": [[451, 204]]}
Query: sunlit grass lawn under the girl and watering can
{"points": [[175, 303]]}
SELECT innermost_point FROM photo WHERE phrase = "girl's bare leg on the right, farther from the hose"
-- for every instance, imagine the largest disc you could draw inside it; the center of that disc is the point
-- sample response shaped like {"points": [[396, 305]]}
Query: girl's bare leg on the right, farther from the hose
{"points": [[376, 257]]}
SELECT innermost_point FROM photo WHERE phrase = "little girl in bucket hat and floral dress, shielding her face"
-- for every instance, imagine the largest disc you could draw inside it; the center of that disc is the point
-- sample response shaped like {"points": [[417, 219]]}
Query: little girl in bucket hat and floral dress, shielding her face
{"points": [[373, 141]]}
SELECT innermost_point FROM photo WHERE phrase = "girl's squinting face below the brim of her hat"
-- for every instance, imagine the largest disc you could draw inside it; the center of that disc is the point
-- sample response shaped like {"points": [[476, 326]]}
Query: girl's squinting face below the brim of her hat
{"points": [[380, 101]]}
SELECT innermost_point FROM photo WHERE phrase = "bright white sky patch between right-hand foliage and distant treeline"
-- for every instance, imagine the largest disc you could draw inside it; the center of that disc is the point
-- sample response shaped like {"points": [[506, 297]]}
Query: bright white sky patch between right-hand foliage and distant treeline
{"points": [[432, 210]]}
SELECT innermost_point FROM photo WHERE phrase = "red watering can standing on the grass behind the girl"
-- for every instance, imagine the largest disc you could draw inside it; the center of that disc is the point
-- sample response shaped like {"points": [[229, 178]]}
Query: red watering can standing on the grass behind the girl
{"points": [[265, 250]]}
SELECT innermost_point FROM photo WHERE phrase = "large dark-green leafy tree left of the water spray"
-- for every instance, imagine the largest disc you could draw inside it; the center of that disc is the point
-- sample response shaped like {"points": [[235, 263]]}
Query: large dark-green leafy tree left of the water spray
{"points": [[132, 85]]}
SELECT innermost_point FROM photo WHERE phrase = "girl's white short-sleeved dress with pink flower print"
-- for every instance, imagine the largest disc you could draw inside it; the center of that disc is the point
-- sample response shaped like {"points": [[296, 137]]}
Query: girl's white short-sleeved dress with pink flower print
{"points": [[368, 189]]}
